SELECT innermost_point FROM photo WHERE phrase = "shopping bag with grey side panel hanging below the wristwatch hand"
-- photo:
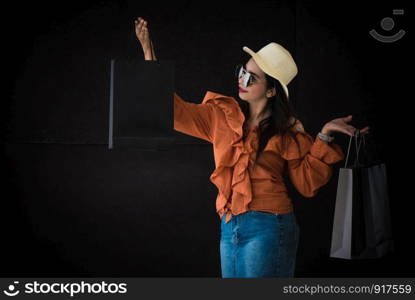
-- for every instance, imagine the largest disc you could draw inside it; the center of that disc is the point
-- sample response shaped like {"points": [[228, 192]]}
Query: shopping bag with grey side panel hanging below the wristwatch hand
{"points": [[362, 224]]}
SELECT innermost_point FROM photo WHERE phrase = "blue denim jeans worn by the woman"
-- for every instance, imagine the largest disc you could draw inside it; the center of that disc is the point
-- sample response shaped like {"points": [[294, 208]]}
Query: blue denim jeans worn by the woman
{"points": [[259, 244]]}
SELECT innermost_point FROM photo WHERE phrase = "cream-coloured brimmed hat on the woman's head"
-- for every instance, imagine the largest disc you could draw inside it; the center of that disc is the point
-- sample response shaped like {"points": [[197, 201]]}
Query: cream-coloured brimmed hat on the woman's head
{"points": [[276, 61]]}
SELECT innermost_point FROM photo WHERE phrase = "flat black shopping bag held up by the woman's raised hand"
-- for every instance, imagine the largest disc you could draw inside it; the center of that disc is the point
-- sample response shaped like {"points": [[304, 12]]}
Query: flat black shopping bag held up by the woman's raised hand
{"points": [[141, 103]]}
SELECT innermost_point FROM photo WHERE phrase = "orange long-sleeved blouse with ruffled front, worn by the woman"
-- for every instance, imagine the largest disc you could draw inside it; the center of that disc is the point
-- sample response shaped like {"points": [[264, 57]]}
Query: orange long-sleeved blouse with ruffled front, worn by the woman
{"points": [[243, 185]]}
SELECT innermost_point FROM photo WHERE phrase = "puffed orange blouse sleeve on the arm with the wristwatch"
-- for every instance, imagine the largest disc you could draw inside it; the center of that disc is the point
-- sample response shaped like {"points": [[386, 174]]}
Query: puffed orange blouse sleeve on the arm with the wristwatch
{"points": [[310, 166]]}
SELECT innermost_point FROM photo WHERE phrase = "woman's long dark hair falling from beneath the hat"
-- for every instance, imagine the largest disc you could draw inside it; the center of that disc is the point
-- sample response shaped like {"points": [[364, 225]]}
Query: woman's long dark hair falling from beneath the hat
{"points": [[279, 122]]}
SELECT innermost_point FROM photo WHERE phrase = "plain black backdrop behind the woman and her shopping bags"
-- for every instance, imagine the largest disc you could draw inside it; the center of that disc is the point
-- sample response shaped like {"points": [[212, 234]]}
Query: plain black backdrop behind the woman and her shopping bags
{"points": [[71, 207]]}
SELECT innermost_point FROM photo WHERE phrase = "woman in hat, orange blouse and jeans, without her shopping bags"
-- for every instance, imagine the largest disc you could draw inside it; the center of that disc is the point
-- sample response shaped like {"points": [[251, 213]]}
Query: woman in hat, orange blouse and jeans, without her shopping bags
{"points": [[255, 141]]}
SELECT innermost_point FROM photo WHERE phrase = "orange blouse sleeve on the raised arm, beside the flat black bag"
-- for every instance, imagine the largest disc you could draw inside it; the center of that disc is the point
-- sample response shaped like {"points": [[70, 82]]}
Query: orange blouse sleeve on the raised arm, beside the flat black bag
{"points": [[195, 119]]}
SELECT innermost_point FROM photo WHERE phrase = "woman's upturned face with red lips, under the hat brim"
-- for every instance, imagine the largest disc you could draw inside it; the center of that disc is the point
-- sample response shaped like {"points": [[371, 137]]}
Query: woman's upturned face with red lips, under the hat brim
{"points": [[256, 90]]}
